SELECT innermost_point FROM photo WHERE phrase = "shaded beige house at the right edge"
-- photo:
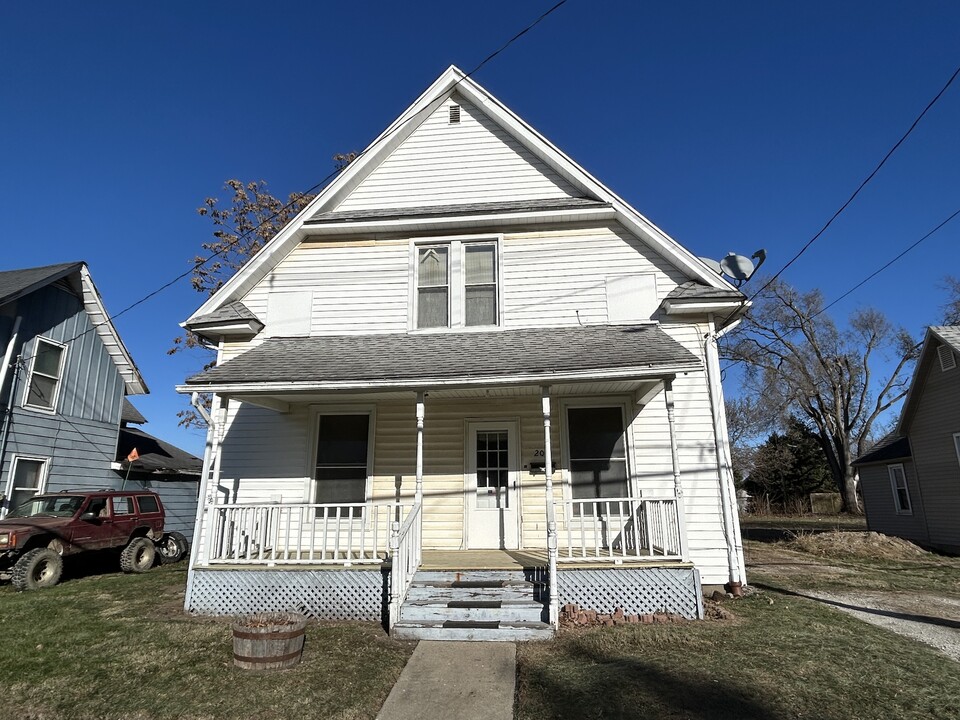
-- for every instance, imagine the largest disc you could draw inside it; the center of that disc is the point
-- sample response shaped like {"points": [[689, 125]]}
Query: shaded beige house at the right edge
{"points": [[910, 480]]}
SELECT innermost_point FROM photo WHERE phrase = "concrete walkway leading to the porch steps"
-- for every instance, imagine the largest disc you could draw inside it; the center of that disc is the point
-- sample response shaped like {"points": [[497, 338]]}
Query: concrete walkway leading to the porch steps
{"points": [[465, 680]]}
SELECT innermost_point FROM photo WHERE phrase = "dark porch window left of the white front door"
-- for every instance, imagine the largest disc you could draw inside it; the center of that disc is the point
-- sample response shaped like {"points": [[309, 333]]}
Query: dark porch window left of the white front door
{"points": [[341, 472]]}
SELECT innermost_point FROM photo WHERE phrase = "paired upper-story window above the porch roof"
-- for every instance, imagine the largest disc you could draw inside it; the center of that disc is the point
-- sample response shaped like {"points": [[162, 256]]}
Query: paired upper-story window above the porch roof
{"points": [[457, 284]]}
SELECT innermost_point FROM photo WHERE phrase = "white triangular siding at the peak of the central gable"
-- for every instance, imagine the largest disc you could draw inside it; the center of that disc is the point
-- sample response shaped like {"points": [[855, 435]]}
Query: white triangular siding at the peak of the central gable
{"points": [[471, 161]]}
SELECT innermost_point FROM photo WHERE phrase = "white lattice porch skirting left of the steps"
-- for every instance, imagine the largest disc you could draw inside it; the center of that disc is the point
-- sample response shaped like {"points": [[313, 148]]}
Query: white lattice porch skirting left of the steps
{"points": [[319, 594]]}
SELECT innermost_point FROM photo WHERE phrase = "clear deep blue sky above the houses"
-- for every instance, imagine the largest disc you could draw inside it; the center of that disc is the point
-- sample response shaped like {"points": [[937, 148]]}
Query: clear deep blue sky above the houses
{"points": [[732, 126]]}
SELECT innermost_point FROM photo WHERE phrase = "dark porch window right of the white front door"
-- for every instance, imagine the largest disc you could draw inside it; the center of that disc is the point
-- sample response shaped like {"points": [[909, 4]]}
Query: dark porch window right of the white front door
{"points": [[598, 456]]}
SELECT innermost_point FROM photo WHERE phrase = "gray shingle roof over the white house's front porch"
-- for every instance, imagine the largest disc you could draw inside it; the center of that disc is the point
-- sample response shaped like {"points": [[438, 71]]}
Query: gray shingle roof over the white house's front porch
{"points": [[450, 356]]}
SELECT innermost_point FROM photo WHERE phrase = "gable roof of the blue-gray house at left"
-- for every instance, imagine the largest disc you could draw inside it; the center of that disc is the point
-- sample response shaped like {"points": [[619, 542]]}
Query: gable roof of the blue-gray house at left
{"points": [[15, 284]]}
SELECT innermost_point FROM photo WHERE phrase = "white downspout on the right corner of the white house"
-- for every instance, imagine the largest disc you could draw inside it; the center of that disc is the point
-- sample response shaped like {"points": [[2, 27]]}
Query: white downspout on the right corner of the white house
{"points": [[731, 524]]}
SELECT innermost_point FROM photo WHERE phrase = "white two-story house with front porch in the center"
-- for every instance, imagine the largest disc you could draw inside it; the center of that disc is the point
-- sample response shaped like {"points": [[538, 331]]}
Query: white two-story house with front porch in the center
{"points": [[466, 385]]}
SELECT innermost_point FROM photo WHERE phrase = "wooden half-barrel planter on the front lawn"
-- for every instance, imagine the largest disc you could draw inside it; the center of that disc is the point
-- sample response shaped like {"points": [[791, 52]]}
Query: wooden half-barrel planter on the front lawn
{"points": [[268, 641]]}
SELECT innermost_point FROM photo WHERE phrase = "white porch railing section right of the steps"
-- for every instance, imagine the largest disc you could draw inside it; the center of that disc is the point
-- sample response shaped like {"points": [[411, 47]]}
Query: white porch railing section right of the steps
{"points": [[620, 529]]}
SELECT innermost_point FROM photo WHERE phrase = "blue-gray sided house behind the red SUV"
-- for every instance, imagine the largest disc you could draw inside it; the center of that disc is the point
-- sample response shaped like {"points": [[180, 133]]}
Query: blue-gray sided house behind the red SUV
{"points": [[65, 375]]}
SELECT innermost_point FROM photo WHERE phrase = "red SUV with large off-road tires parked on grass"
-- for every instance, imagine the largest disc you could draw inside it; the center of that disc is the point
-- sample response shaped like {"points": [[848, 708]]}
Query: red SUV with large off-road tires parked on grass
{"points": [[36, 536]]}
